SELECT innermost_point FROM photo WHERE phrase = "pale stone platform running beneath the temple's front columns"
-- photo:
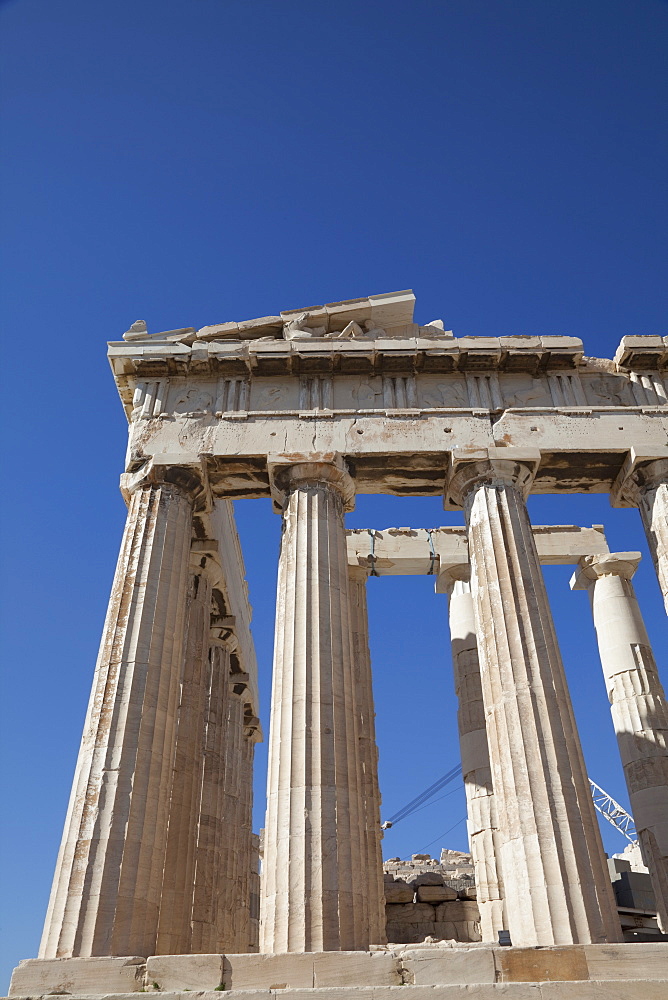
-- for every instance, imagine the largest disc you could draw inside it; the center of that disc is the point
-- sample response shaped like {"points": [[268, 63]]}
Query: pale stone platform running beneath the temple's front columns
{"points": [[437, 972]]}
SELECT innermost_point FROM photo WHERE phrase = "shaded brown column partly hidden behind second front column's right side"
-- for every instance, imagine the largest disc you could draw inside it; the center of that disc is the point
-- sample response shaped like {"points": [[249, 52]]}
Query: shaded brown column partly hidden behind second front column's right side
{"points": [[373, 891]]}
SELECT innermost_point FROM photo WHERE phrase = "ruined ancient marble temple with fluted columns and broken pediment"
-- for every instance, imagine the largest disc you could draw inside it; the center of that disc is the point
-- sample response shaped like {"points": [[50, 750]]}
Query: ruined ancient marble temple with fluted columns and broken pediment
{"points": [[156, 883]]}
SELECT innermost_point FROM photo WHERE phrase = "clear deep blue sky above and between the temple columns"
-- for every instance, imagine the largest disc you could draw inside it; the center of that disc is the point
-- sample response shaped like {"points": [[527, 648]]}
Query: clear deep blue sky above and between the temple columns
{"points": [[194, 161]]}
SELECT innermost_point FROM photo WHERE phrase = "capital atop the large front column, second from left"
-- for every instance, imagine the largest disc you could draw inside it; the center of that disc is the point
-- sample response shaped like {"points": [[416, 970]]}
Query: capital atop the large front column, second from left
{"points": [[318, 469]]}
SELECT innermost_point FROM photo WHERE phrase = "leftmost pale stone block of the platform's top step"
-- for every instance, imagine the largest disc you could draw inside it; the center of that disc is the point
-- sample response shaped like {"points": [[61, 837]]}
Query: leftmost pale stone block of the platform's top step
{"points": [[36, 976]]}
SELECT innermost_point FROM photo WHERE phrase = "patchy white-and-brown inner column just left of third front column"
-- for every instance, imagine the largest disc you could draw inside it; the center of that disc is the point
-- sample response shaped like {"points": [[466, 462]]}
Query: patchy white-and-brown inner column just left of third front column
{"points": [[476, 769]]}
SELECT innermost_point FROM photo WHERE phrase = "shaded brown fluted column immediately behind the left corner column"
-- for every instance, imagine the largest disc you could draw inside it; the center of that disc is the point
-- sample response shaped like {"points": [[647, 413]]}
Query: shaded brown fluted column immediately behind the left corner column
{"points": [[175, 924]]}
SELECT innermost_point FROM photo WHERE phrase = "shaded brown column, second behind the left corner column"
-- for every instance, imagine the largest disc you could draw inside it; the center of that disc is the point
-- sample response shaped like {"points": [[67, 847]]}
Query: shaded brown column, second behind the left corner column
{"points": [[212, 890]]}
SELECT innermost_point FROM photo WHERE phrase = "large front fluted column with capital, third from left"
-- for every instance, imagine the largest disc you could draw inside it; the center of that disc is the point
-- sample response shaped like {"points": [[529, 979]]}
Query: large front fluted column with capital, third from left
{"points": [[556, 885]]}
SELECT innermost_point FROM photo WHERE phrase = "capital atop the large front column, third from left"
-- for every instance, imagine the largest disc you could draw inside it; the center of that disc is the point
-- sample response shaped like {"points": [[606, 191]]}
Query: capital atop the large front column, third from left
{"points": [[515, 467]]}
